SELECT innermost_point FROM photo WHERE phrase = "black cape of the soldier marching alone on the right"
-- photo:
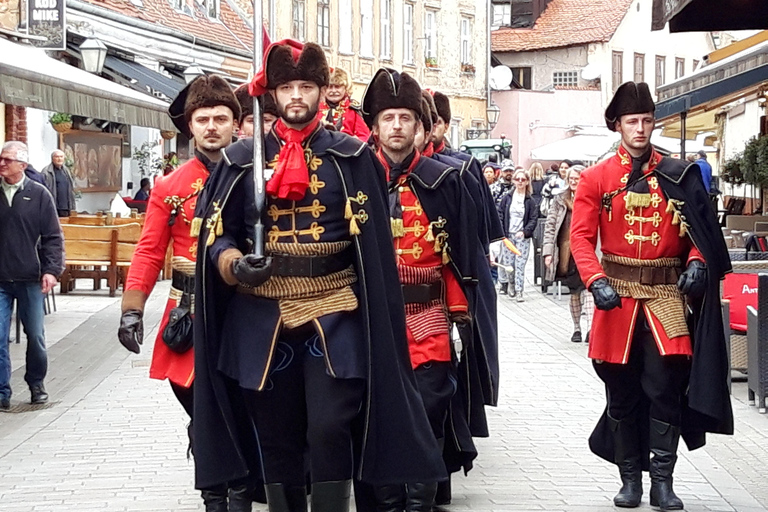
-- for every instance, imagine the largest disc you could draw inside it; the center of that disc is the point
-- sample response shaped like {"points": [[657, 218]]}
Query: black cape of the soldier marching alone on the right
{"points": [[708, 407]]}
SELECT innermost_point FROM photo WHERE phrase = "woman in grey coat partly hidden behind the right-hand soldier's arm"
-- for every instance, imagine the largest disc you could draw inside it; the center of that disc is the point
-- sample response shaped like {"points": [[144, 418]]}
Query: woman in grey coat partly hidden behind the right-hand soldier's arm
{"points": [[556, 250]]}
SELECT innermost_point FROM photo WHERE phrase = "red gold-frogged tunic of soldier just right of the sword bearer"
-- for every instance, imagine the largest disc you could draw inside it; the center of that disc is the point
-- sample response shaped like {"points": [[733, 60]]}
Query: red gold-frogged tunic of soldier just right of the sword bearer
{"points": [[421, 260]]}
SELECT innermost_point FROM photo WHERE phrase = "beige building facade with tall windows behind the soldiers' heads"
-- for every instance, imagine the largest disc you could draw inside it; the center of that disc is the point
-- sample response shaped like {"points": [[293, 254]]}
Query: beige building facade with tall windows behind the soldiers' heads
{"points": [[466, 88]]}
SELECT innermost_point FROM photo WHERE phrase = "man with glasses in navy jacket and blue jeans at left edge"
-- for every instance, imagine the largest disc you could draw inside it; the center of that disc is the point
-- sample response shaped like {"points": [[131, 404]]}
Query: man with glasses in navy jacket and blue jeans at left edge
{"points": [[31, 261]]}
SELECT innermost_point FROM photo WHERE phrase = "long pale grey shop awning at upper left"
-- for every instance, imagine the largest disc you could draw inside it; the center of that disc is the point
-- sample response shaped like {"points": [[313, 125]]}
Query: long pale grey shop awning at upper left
{"points": [[29, 78]]}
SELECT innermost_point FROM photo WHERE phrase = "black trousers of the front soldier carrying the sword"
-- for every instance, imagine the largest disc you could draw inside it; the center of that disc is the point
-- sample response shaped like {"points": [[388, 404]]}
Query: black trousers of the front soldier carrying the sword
{"points": [[302, 404]]}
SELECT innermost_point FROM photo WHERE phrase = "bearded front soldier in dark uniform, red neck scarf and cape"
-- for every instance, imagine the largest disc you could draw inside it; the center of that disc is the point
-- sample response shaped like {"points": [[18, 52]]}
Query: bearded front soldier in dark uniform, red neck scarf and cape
{"points": [[314, 334]]}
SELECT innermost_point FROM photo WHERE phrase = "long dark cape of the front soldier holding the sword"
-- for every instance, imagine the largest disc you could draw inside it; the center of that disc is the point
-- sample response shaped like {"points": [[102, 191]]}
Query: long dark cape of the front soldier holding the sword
{"points": [[396, 444]]}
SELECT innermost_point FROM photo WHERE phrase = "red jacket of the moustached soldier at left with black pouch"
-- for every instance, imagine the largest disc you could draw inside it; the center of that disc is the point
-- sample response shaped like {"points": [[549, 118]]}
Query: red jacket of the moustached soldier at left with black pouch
{"points": [[178, 190]]}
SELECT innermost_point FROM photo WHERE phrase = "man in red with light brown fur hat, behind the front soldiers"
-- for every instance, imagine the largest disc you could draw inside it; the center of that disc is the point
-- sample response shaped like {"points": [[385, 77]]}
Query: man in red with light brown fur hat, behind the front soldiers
{"points": [[339, 110]]}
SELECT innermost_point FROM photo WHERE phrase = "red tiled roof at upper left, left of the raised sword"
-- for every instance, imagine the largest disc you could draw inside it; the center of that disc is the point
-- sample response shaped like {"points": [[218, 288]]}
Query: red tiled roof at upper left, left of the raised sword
{"points": [[161, 13]]}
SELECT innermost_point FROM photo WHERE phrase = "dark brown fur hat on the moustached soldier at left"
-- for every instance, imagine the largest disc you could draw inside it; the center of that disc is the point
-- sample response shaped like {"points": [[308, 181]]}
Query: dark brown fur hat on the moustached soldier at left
{"points": [[203, 91]]}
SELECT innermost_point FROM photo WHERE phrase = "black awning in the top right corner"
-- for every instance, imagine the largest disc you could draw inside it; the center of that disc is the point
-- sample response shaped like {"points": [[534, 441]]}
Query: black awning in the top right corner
{"points": [[709, 15]]}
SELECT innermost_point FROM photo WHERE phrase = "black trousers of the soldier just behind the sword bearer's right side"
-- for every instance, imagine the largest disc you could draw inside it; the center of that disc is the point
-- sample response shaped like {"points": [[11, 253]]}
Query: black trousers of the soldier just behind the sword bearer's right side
{"points": [[437, 385]]}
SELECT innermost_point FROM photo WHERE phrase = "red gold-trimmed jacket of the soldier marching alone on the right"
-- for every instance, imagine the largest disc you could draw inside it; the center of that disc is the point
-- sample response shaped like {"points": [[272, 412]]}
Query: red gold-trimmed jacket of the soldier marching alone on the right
{"points": [[639, 233]]}
